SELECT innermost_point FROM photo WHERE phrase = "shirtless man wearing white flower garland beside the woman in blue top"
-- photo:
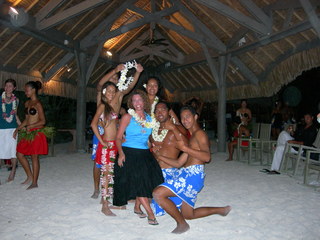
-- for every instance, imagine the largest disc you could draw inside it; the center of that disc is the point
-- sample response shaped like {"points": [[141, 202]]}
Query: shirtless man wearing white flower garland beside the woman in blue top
{"points": [[164, 143]]}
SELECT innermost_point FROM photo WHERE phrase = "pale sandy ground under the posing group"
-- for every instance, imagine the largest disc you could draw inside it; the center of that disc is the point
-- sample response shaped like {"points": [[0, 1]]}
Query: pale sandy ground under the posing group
{"points": [[264, 206]]}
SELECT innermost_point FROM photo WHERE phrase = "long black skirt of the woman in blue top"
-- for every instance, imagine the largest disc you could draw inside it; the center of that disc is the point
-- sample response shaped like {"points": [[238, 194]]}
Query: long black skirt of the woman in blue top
{"points": [[138, 177]]}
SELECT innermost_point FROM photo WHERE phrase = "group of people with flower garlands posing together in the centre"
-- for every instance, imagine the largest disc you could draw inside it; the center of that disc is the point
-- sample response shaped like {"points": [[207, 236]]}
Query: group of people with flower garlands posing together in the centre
{"points": [[149, 157]]}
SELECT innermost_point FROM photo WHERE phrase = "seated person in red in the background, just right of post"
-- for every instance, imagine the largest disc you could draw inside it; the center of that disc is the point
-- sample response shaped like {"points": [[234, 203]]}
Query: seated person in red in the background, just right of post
{"points": [[242, 131]]}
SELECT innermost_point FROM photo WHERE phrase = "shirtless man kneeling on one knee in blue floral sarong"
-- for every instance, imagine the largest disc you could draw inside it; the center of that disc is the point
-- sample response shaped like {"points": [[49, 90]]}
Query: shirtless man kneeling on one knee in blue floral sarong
{"points": [[190, 180]]}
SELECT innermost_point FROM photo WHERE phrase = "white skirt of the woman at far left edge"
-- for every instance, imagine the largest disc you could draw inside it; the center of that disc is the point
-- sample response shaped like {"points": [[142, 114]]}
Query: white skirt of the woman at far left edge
{"points": [[8, 147]]}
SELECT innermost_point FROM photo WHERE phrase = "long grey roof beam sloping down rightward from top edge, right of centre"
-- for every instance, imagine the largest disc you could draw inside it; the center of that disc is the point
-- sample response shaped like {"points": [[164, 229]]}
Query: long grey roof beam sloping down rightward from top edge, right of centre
{"points": [[240, 18]]}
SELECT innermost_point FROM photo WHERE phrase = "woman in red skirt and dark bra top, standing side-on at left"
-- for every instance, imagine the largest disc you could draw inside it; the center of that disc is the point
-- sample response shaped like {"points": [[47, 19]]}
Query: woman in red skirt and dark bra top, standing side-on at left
{"points": [[33, 123]]}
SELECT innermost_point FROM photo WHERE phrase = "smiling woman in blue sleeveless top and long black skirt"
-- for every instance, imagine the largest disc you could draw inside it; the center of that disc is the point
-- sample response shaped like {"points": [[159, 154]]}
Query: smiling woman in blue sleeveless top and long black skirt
{"points": [[137, 172]]}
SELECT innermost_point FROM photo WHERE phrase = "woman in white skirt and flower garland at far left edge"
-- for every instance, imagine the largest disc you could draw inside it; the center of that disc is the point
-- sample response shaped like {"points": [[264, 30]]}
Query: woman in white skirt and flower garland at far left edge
{"points": [[8, 123]]}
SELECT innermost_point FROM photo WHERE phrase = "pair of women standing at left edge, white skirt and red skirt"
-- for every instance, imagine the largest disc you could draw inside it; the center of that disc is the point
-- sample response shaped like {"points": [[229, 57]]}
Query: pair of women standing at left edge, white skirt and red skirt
{"points": [[32, 140]]}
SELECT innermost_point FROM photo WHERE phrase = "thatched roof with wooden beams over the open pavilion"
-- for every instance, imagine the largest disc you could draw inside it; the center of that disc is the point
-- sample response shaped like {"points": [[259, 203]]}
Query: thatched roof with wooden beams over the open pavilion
{"points": [[264, 43]]}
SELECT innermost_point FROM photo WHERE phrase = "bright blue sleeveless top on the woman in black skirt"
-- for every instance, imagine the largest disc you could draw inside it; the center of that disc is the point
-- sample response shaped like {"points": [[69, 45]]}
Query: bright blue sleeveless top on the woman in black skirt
{"points": [[136, 135]]}
